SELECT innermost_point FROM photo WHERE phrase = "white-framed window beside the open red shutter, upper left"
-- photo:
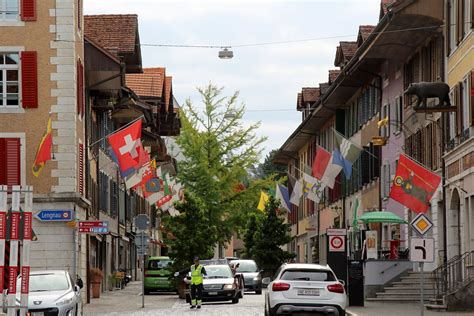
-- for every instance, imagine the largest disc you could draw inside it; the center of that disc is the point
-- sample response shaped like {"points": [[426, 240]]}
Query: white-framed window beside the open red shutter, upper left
{"points": [[9, 80]]}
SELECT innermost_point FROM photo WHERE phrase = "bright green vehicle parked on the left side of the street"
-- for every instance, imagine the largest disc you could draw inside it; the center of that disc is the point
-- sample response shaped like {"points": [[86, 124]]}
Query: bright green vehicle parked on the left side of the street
{"points": [[157, 275]]}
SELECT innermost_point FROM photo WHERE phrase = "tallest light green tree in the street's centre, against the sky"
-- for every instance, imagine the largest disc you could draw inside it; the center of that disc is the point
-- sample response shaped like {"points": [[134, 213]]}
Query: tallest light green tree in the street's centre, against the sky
{"points": [[219, 149]]}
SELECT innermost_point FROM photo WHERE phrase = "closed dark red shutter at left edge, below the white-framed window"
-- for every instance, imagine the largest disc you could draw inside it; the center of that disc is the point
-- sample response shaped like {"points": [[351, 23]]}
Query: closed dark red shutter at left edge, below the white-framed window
{"points": [[10, 161]]}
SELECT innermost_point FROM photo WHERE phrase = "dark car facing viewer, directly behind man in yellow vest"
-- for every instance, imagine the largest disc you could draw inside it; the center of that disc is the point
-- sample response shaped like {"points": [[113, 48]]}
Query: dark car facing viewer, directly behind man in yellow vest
{"points": [[219, 285]]}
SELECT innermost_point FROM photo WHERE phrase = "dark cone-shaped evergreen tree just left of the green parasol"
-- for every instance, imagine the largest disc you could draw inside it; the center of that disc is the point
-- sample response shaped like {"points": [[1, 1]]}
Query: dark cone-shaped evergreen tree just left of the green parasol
{"points": [[273, 234]]}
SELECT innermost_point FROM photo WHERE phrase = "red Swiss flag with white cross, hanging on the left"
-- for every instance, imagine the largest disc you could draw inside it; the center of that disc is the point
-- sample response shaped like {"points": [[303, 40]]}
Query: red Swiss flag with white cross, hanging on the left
{"points": [[127, 146]]}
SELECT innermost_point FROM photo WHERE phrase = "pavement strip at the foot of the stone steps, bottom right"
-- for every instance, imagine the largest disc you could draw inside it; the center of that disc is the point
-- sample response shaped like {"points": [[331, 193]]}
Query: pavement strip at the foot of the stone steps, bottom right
{"points": [[395, 309]]}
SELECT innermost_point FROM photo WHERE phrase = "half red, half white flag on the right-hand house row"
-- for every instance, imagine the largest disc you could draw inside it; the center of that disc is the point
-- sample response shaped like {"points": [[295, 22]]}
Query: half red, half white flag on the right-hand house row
{"points": [[323, 167]]}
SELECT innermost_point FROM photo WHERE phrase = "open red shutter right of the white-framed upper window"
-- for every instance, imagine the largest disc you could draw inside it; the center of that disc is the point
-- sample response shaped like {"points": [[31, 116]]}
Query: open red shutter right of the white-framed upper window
{"points": [[29, 79]]}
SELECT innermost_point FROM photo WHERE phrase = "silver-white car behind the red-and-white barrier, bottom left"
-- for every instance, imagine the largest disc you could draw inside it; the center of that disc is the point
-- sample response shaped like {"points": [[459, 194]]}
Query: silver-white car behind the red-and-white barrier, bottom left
{"points": [[53, 293]]}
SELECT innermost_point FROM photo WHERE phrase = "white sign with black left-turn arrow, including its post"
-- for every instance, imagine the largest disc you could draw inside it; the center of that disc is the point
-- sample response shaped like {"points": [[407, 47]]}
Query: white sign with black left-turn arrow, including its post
{"points": [[421, 251]]}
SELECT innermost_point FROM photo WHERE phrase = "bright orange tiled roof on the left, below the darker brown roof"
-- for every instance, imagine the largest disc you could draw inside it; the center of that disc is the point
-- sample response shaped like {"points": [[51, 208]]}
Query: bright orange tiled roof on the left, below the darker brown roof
{"points": [[148, 84]]}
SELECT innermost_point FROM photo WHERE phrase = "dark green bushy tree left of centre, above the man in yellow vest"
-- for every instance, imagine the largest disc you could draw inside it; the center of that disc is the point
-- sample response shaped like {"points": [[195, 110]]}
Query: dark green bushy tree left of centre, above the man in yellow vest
{"points": [[187, 235]]}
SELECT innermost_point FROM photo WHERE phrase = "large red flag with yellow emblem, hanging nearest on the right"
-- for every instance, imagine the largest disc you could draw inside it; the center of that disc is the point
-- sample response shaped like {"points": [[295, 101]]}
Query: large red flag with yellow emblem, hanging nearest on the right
{"points": [[414, 185]]}
